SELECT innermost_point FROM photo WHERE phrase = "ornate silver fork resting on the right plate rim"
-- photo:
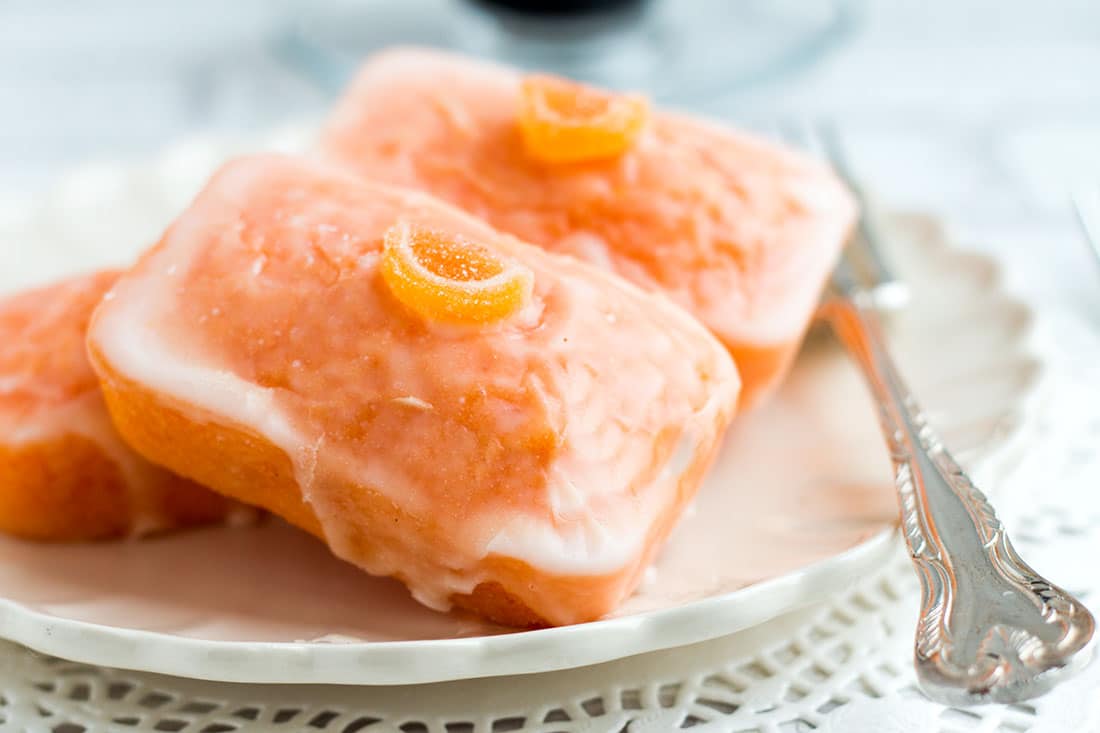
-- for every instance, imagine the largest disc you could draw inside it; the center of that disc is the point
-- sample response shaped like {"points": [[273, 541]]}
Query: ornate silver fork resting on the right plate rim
{"points": [[992, 629]]}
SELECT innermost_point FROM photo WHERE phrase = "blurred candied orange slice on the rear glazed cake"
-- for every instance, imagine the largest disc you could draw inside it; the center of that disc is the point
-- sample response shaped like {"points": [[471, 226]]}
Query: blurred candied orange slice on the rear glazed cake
{"points": [[563, 122]]}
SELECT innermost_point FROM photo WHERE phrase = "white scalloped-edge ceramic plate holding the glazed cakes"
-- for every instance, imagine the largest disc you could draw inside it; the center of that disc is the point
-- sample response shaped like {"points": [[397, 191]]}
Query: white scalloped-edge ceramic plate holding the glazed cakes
{"points": [[799, 506]]}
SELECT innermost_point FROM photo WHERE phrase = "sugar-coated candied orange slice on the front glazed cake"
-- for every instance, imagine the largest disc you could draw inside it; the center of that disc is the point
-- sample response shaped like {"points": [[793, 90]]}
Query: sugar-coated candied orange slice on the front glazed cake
{"points": [[452, 279]]}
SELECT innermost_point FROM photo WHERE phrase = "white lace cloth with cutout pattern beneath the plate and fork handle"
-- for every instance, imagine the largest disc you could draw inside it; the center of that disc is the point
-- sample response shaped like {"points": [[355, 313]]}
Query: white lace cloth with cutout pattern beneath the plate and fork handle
{"points": [[843, 668]]}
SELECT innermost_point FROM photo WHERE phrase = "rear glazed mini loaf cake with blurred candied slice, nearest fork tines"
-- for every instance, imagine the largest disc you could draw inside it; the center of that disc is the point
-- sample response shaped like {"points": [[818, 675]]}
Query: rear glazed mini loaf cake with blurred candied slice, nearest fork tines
{"points": [[741, 233]]}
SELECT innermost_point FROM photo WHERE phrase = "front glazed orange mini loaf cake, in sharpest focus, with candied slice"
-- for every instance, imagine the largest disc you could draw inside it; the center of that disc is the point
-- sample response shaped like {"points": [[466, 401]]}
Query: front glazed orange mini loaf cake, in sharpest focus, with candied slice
{"points": [[499, 428]]}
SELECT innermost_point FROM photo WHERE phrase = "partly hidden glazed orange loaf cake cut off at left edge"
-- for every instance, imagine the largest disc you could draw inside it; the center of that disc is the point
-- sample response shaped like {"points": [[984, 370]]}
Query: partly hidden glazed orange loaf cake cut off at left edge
{"points": [[65, 474]]}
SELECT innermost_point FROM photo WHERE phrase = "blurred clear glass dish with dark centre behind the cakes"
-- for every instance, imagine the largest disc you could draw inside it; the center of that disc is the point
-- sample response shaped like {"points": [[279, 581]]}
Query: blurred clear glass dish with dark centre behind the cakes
{"points": [[685, 52]]}
